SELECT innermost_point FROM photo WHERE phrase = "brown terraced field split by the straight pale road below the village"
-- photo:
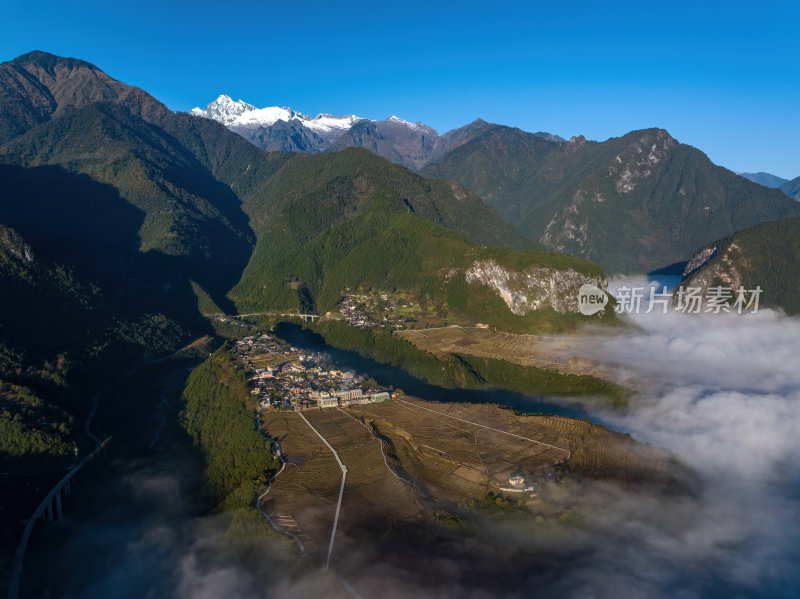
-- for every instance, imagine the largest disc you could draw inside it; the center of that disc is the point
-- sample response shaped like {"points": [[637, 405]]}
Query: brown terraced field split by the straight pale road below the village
{"points": [[374, 498]]}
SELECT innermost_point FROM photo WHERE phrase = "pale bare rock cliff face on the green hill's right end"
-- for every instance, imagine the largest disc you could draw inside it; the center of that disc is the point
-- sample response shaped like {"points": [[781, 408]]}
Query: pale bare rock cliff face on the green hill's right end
{"points": [[533, 288]]}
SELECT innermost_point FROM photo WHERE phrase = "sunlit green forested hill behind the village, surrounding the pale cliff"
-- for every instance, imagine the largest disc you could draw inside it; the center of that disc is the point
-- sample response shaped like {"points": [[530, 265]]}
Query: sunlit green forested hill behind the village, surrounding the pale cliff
{"points": [[383, 246]]}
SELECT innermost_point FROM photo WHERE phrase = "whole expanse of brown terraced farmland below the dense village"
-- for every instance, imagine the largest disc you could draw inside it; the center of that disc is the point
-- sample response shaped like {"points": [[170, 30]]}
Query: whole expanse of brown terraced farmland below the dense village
{"points": [[406, 453]]}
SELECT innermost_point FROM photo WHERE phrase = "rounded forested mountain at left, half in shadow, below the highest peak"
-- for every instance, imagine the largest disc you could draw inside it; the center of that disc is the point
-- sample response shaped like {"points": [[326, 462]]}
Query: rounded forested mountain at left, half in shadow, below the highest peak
{"points": [[186, 212]]}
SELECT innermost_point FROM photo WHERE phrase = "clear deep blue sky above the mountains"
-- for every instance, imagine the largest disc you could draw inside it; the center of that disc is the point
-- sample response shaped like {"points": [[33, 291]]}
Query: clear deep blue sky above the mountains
{"points": [[722, 76]]}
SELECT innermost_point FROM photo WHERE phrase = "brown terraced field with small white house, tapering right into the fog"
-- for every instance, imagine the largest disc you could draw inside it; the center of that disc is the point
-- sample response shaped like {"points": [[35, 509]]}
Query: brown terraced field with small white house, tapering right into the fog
{"points": [[461, 460]]}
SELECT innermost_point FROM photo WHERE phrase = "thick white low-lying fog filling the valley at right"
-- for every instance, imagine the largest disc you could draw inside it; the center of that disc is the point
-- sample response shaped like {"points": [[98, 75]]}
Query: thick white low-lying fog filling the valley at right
{"points": [[722, 392]]}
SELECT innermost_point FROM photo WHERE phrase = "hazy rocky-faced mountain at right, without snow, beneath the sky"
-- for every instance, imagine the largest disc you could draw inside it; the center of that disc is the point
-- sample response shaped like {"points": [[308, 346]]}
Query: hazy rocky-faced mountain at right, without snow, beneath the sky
{"points": [[631, 204]]}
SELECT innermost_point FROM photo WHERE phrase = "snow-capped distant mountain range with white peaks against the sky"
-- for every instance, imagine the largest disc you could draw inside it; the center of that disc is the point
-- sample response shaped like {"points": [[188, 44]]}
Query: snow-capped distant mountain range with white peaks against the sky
{"points": [[412, 145]]}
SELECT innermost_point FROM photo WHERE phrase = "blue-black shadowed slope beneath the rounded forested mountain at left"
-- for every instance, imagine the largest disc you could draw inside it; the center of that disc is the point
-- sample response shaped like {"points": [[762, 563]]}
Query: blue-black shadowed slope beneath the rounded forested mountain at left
{"points": [[80, 224]]}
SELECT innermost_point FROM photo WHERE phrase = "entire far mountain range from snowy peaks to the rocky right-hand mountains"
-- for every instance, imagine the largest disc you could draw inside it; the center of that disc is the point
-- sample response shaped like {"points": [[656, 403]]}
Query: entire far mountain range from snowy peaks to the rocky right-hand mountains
{"points": [[631, 204]]}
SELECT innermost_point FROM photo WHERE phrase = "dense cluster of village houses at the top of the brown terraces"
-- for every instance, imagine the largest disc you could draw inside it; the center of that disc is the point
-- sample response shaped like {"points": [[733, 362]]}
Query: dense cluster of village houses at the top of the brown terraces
{"points": [[283, 377]]}
